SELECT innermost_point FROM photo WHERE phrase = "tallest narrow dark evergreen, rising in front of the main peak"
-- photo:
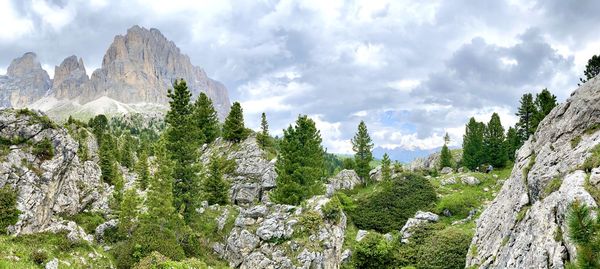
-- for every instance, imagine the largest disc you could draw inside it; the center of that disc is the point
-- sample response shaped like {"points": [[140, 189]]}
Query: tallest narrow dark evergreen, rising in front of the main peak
{"points": [[182, 145]]}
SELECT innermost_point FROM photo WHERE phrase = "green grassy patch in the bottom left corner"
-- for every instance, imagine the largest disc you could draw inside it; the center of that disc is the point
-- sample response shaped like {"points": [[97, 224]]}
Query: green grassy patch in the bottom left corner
{"points": [[28, 248]]}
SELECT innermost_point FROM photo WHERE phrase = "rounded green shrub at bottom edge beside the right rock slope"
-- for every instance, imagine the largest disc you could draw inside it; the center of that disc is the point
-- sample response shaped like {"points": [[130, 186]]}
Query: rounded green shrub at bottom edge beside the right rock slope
{"points": [[445, 249]]}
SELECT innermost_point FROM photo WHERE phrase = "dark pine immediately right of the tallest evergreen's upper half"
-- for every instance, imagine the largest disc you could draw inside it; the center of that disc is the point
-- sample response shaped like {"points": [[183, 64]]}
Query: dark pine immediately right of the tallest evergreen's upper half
{"points": [[205, 119]]}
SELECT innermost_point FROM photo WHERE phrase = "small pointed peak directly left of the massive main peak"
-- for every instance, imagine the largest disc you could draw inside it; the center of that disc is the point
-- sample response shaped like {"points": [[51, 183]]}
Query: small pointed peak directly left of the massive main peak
{"points": [[70, 79]]}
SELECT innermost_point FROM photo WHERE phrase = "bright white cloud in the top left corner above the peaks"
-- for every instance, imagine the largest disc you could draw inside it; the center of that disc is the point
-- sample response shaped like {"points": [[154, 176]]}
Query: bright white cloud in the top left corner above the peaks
{"points": [[14, 25]]}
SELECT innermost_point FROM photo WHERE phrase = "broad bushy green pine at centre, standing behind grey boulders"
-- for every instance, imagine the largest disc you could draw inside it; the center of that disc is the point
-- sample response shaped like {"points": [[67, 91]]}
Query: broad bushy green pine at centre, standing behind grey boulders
{"points": [[300, 166]]}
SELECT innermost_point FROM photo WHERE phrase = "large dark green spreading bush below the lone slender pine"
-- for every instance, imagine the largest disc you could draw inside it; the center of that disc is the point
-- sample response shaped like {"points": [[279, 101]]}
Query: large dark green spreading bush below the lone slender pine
{"points": [[388, 209]]}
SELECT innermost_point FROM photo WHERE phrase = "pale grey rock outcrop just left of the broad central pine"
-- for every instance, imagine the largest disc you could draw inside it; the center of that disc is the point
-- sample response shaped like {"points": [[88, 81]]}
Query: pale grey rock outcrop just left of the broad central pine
{"points": [[253, 176]]}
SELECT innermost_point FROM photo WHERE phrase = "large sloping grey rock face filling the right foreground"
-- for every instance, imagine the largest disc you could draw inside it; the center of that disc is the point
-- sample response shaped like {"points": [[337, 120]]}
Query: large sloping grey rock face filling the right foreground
{"points": [[522, 228]]}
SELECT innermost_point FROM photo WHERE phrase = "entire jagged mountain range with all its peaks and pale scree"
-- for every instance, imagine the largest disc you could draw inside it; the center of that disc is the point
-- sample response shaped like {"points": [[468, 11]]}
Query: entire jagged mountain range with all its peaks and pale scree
{"points": [[136, 72]]}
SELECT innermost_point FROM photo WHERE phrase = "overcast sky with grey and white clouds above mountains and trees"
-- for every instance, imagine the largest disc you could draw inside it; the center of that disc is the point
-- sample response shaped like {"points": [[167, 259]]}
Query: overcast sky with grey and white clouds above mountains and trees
{"points": [[412, 70]]}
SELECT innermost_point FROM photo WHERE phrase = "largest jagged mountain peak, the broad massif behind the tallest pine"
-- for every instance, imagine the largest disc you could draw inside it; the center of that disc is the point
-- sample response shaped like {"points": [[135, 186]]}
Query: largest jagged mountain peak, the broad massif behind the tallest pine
{"points": [[141, 65]]}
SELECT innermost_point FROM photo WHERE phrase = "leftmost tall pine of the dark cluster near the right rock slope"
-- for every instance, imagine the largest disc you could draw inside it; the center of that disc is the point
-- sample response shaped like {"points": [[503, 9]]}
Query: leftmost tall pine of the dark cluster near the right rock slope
{"points": [[473, 144]]}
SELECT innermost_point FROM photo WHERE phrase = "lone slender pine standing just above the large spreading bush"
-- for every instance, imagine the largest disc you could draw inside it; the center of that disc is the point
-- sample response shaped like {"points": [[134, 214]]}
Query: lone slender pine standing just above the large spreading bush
{"points": [[362, 146]]}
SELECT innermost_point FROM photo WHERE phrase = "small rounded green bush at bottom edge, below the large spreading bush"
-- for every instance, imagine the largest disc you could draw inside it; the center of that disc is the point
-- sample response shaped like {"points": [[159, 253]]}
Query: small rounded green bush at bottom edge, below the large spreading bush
{"points": [[373, 251]]}
